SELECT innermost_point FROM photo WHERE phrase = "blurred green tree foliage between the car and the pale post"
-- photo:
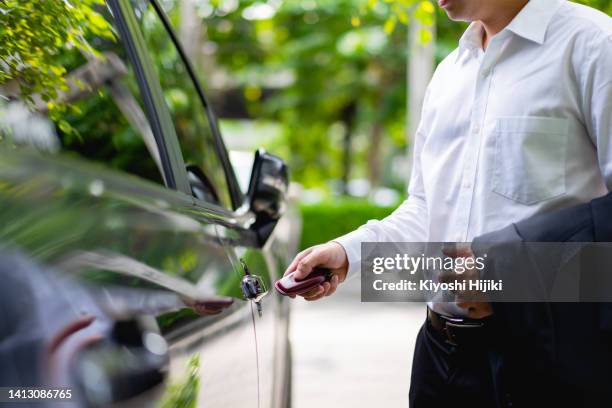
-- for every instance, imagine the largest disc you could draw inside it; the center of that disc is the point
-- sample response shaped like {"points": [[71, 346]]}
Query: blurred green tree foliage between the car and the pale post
{"points": [[341, 74]]}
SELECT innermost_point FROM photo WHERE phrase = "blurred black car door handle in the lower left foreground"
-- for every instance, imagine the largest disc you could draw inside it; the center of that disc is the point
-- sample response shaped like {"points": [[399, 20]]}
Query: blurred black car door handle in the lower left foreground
{"points": [[131, 362]]}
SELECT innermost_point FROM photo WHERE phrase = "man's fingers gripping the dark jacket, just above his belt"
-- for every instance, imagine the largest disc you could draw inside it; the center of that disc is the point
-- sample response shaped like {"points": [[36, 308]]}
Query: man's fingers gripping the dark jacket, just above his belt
{"points": [[473, 302]]}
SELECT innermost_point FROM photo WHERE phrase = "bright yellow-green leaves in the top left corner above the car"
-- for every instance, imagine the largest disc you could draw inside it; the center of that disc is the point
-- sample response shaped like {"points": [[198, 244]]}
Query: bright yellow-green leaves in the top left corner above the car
{"points": [[34, 33]]}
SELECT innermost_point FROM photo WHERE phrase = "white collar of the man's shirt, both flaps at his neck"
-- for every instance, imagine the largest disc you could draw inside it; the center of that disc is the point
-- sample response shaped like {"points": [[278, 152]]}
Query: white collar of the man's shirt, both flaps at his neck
{"points": [[530, 23]]}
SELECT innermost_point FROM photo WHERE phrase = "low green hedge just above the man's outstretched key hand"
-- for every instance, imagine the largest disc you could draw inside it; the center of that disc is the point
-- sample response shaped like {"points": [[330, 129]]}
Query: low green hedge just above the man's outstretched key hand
{"points": [[330, 219]]}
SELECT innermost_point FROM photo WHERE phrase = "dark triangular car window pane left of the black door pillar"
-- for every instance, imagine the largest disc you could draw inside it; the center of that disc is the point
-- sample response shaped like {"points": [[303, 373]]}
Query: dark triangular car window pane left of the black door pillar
{"points": [[104, 119]]}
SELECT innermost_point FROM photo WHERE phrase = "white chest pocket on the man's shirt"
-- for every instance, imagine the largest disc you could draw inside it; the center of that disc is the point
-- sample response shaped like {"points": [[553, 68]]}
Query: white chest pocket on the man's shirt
{"points": [[530, 157]]}
